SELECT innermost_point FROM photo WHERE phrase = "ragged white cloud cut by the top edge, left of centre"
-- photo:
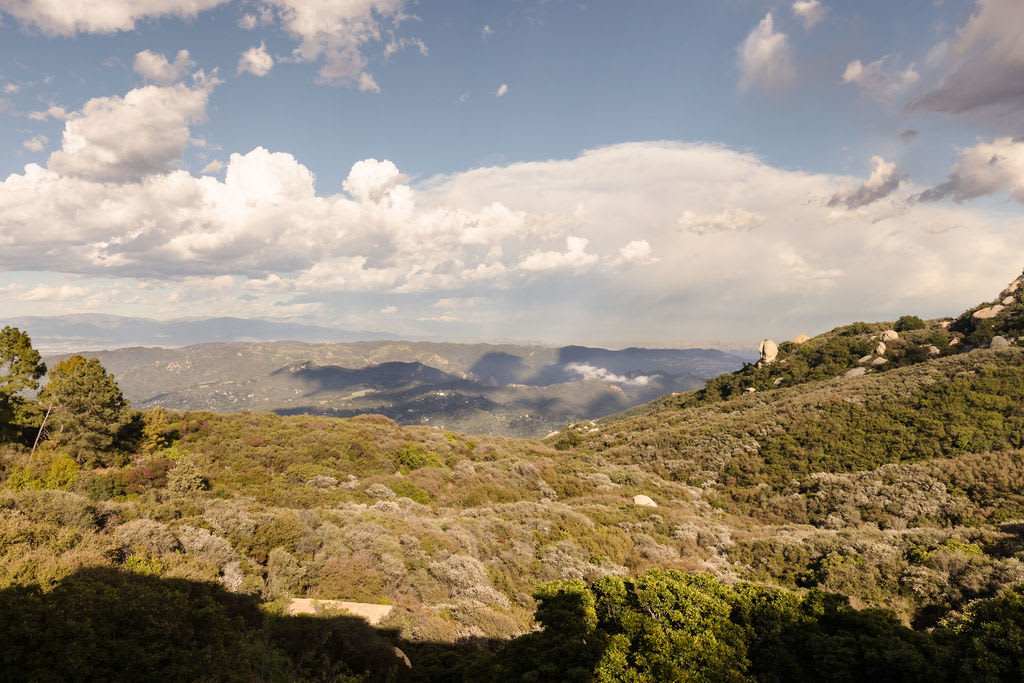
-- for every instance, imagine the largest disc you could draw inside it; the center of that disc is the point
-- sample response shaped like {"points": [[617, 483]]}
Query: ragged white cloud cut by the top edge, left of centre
{"points": [[337, 34]]}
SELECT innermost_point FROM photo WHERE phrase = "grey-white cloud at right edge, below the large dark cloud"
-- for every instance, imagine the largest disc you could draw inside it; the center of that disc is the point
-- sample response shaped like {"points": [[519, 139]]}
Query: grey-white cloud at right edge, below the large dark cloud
{"points": [[985, 169]]}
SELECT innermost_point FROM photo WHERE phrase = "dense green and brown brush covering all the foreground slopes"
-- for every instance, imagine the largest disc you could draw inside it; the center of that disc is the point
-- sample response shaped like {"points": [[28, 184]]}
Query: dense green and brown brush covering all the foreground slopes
{"points": [[822, 528]]}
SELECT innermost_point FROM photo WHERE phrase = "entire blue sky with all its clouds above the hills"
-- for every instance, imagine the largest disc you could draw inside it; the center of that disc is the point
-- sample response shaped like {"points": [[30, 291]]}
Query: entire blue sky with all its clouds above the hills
{"points": [[665, 174]]}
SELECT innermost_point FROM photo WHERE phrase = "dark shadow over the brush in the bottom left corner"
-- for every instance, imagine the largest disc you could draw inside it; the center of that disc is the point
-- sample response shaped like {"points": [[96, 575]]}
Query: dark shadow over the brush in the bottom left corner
{"points": [[106, 625]]}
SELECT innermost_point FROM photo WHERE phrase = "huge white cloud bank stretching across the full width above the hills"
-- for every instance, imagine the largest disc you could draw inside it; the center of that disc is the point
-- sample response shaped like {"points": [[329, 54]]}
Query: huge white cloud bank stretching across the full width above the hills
{"points": [[263, 240]]}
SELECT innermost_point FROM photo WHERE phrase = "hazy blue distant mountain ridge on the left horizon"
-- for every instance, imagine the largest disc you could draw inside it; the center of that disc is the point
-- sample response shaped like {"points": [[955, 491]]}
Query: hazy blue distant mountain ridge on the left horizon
{"points": [[91, 331]]}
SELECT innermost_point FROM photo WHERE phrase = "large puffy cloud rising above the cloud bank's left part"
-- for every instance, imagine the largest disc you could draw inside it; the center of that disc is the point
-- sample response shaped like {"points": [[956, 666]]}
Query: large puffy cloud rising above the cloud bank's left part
{"points": [[126, 139]]}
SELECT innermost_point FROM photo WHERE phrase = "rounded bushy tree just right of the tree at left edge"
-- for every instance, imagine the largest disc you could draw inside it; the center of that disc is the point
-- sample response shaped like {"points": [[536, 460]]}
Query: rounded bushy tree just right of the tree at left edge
{"points": [[89, 408]]}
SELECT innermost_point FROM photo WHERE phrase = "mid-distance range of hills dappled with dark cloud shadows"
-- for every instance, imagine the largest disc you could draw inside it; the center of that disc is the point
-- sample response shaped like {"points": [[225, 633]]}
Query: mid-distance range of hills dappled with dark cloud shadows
{"points": [[479, 389]]}
